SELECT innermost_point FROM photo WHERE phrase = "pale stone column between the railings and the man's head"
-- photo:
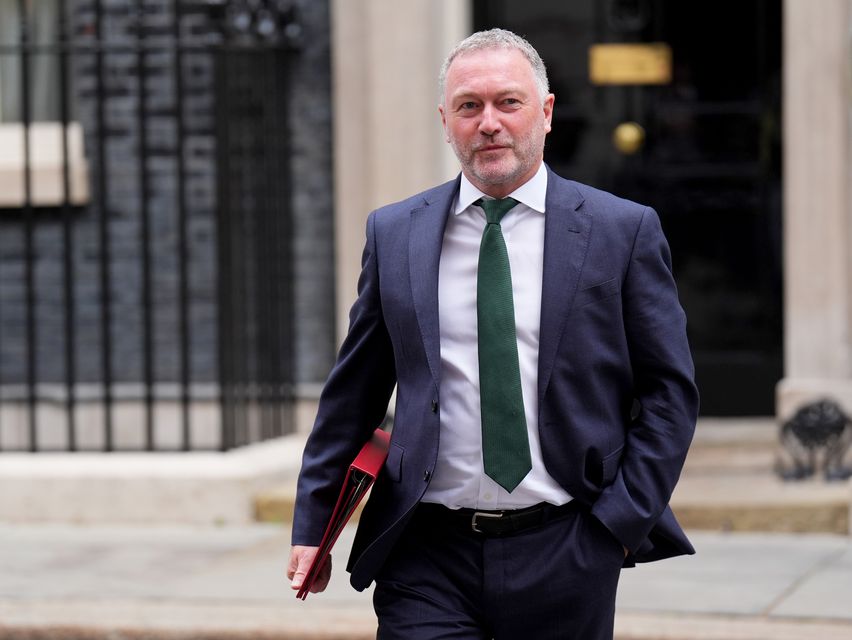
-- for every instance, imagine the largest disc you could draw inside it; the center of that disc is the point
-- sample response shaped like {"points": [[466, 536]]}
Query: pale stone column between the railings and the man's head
{"points": [[388, 142]]}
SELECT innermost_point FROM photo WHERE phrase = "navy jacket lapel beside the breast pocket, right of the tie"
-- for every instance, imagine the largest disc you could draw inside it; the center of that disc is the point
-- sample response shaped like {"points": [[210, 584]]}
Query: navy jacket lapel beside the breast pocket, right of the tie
{"points": [[566, 239]]}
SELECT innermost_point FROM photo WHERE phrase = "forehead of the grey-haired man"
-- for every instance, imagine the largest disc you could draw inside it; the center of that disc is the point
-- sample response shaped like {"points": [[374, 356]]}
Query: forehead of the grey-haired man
{"points": [[495, 69]]}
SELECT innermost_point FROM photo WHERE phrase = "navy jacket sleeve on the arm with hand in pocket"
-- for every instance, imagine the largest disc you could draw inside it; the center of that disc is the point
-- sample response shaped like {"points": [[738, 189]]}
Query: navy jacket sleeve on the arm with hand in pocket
{"points": [[663, 380]]}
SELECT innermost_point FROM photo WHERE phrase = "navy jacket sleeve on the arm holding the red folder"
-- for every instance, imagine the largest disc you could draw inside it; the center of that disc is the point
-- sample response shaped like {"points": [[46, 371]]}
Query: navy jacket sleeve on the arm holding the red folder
{"points": [[352, 404]]}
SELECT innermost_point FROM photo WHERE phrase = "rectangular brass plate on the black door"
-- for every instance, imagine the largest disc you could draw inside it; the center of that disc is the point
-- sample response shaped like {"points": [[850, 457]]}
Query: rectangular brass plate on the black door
{"points": [[630, 63]]}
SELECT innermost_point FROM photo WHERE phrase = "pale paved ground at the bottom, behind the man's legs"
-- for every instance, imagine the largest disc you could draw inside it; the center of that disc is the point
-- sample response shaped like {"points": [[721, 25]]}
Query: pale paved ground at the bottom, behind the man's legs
{"points": [[117, 583]]}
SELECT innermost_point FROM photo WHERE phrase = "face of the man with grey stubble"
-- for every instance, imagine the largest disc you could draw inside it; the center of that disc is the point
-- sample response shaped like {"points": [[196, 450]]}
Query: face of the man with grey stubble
{"points": [[494, 118]]}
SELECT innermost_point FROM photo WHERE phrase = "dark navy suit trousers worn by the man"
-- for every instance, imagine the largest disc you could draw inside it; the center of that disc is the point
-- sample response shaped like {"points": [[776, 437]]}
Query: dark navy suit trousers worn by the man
{"points": [[557, 581]]}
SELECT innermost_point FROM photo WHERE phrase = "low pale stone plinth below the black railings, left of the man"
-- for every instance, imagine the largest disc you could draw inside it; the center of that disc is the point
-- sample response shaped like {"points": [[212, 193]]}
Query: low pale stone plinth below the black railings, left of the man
{"points": [[145, 488]]}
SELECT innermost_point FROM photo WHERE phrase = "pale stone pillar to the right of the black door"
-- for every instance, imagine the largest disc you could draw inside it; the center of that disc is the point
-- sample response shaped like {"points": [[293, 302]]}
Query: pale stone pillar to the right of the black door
{"points": [[817, 203]]}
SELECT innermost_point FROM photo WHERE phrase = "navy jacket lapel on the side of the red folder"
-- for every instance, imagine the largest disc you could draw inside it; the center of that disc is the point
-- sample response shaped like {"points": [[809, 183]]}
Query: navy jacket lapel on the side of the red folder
{"points": [[425, 240]]}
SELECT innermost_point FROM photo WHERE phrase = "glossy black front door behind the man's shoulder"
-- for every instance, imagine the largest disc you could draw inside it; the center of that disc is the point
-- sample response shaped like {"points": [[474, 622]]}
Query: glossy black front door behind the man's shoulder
{"points": [[709, 163]]}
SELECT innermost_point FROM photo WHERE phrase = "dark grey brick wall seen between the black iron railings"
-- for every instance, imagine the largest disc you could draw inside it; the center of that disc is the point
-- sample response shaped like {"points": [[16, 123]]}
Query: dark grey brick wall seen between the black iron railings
{"points": [[311, 240]]}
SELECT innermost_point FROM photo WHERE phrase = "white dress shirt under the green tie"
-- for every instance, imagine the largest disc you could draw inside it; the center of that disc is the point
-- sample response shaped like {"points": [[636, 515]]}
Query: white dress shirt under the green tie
{"points": [[459, 478]]}
